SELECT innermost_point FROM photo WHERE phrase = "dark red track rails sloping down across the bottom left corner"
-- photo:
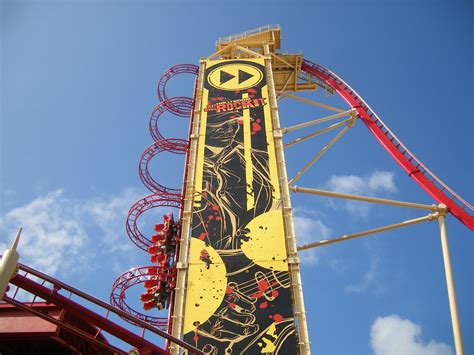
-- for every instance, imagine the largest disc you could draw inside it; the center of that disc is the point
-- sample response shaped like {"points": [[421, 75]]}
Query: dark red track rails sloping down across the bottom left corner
{"points": [[50, 289]]}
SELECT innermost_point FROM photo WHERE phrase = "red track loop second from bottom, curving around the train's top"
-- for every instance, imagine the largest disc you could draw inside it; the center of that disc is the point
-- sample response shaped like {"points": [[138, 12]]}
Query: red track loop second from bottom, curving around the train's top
{"points": [[160, 199]]}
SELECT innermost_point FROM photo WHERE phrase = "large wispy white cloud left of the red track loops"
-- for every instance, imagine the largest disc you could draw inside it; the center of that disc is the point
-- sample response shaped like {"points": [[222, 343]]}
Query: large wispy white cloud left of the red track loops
{"points": [[61, 236]]}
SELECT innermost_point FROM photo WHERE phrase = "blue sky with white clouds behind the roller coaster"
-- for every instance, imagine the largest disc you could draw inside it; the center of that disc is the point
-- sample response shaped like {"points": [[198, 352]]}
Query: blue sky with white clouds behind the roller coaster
{"points": [[78, 82]]}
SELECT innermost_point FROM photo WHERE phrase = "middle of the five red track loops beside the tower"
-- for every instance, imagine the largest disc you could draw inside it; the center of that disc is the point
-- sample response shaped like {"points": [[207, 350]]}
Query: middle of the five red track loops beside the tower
{"points": [[177, 146]]}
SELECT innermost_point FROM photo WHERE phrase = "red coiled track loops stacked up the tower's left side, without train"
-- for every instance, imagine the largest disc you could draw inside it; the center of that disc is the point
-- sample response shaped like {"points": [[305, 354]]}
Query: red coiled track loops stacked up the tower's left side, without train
{"points": [[161, 196]]}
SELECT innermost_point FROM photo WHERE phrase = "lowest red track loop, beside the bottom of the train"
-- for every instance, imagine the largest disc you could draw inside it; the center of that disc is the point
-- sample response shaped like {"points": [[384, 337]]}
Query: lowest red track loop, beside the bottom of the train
{"points": [[118, 298]]}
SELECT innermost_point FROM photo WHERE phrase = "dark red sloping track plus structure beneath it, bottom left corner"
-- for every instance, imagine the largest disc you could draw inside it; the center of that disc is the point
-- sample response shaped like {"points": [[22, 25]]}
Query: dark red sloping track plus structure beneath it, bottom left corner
{"points": [[77, 328]]}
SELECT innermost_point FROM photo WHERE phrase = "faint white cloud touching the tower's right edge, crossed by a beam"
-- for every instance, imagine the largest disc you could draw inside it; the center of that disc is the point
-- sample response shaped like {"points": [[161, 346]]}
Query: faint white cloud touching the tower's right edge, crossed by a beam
{"points": [[307, 230]]}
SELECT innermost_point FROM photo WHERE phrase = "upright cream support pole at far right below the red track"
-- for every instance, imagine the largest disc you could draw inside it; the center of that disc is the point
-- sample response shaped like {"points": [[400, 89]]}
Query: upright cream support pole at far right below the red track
{"points": [[453, 307]]}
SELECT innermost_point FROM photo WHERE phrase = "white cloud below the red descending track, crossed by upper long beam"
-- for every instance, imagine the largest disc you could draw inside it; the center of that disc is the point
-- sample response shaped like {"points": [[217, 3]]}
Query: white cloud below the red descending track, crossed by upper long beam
{"points": [[376, 183]]}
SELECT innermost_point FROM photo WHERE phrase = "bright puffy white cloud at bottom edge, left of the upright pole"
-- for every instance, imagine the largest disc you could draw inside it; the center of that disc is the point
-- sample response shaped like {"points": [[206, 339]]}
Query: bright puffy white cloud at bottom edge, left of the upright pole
{"points": [[392, 335]]}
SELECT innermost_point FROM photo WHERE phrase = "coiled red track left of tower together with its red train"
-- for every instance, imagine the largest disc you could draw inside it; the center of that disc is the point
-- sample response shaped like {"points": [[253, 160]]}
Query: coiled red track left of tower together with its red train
{"points": [[158, 279]]}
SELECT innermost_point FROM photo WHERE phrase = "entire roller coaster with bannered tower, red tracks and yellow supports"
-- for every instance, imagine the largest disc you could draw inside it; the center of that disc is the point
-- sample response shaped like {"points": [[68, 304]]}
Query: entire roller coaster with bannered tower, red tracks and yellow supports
{"points": [[235, 183]]}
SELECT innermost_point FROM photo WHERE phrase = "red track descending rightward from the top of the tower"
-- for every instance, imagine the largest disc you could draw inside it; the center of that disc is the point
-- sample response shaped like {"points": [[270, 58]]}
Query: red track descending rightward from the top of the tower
{"points": [[416, 170]]}
